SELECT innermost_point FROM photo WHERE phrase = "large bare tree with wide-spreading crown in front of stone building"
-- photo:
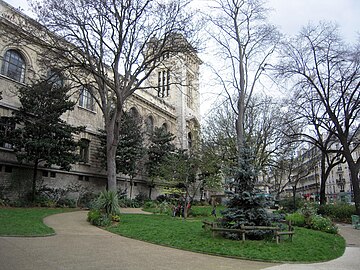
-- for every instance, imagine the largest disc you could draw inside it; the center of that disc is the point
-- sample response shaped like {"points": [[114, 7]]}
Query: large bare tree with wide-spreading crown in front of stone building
{"points": [[111, 46]]}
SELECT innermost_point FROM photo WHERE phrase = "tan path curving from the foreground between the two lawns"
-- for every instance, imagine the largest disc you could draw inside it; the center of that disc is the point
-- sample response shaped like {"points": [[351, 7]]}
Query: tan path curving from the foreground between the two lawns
{"points": [[78, 245]]}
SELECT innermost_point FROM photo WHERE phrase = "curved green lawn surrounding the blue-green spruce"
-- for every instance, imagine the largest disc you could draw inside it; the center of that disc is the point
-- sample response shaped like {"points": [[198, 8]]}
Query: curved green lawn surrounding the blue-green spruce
{"points": [[307, 245]]}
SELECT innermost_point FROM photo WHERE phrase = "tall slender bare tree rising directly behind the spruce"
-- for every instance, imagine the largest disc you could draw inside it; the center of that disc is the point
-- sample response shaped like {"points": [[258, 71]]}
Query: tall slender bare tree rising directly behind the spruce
{"points": [[245, 42]]}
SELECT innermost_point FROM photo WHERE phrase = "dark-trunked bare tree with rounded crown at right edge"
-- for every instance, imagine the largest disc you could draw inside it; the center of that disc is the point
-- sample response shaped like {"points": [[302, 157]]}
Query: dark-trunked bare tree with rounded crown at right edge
{"points": [[326, 78]]}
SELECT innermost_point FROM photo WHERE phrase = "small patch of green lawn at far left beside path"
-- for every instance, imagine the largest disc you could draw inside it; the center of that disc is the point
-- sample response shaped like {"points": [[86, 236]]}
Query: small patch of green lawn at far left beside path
{"points": [[26, 221]]}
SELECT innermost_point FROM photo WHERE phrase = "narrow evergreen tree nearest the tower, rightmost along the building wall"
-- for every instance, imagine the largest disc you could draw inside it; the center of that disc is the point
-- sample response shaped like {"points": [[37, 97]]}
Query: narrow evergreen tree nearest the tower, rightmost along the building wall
{"points": [[161, 145]]}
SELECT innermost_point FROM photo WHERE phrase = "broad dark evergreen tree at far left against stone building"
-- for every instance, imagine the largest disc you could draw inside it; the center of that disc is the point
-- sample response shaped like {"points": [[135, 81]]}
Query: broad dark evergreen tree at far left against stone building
{"points": [[42, 137]]}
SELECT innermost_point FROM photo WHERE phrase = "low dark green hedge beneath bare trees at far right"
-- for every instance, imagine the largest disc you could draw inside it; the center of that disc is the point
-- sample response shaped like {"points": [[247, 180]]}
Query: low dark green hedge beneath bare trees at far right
{"points": [[340, 212]]}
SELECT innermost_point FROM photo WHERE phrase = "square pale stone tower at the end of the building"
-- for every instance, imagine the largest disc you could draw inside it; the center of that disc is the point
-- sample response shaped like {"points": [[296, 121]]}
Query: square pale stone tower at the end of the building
{"points": [[176, 82]]}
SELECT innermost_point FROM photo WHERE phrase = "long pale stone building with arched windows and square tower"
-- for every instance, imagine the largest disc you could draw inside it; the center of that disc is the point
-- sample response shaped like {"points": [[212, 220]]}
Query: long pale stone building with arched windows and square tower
{"points": [[169, 103]]}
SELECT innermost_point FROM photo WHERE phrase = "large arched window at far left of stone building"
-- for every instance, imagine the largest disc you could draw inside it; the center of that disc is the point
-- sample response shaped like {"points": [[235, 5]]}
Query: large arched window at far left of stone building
{"points": [[13, 65]]}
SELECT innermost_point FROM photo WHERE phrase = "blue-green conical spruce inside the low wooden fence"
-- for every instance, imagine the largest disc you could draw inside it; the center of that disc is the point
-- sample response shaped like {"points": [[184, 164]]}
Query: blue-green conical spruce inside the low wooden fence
{"points": [[244, 207]]}
